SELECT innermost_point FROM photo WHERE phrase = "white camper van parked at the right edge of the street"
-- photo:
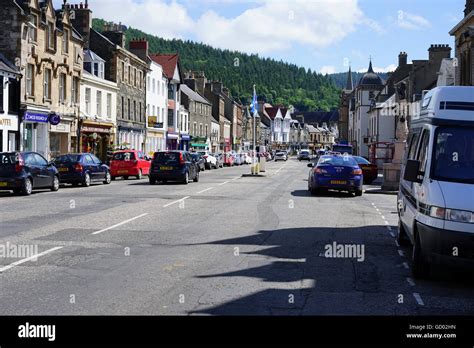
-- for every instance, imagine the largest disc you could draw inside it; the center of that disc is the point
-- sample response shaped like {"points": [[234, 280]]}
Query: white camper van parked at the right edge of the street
{"points": [[436, 196]]}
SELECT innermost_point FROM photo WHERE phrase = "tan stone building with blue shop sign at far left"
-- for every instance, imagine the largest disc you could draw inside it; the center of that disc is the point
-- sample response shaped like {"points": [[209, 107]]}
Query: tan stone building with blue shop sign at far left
{"points": [[42, 42]]}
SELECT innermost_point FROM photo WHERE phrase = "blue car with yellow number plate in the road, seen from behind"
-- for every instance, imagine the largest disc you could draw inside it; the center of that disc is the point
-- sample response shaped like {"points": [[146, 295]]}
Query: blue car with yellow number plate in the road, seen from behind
{"points": [[335, 172]]}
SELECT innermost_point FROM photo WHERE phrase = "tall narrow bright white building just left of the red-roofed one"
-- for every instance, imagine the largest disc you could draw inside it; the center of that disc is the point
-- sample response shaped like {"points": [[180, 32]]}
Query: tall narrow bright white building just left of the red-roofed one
{"points": [[157, 109]]}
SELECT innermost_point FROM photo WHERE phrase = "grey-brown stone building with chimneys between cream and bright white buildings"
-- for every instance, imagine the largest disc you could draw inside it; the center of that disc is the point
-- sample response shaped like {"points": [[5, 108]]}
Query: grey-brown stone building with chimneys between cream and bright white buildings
{"points": [[122, 67]]}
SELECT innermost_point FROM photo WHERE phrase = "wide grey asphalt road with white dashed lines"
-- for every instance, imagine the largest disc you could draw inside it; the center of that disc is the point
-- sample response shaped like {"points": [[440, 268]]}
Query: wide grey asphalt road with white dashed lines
{"points": [[227, 245]]}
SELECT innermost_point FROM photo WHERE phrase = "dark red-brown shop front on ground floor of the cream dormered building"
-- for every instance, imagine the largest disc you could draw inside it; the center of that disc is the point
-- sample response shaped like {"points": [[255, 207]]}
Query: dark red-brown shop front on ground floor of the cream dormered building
{"points": [[96, 138]]}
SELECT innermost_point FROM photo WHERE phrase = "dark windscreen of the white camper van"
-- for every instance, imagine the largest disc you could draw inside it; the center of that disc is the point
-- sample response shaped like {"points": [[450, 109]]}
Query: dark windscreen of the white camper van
{"points": [[453, 158]]}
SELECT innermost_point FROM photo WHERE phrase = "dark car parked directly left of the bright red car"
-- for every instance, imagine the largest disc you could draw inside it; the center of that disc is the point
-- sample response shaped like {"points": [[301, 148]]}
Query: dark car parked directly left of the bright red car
{"points": [[82, 168]]}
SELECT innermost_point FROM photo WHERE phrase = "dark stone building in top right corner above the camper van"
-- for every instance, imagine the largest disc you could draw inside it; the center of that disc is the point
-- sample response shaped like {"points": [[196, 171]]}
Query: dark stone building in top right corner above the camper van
{"points": [[463, 33]]}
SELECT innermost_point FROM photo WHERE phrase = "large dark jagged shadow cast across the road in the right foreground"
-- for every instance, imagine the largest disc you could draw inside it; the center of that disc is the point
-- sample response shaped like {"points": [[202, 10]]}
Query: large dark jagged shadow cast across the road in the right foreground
{"points": [[293, 263]]}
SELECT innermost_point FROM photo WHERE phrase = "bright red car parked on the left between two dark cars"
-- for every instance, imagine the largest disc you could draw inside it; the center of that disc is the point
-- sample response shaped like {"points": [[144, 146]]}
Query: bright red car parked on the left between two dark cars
{"points": [[128, 163]]}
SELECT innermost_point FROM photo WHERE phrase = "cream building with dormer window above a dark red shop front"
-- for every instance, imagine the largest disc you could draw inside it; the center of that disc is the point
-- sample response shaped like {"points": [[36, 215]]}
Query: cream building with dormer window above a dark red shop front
{"points": [[98, 108]]}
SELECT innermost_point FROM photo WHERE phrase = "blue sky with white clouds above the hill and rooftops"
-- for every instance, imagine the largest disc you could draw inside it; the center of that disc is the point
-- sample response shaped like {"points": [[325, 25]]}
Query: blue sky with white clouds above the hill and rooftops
{"points": [[322, 35]]}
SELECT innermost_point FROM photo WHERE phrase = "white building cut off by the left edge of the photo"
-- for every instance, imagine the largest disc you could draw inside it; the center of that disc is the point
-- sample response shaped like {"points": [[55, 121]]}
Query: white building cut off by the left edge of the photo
{"points": [[9, 135]]}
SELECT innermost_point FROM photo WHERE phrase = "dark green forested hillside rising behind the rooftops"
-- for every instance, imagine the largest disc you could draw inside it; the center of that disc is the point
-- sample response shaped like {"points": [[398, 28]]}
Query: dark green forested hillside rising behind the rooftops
{"points": [[277, 82]]}
